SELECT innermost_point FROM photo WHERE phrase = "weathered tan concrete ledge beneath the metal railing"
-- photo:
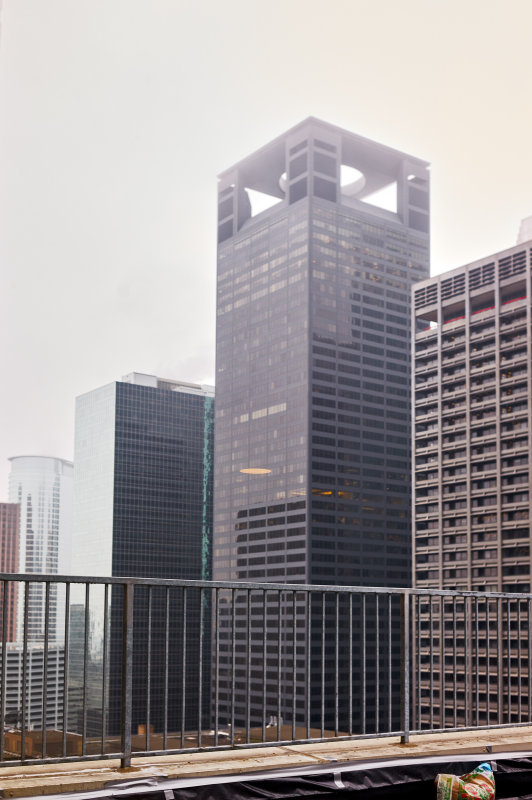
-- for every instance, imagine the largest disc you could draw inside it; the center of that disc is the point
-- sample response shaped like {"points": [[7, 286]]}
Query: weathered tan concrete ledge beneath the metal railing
{"points": [[83, 776]]}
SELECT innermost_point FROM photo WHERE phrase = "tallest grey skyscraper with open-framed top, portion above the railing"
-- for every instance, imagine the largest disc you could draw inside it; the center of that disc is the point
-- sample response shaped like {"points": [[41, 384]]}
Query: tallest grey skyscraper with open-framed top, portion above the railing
{"points": [[312, 461]]}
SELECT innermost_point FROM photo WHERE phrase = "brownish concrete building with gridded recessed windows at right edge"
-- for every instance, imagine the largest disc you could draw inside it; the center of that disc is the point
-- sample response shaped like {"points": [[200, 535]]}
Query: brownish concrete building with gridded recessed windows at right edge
{"points": [[472, 387]]}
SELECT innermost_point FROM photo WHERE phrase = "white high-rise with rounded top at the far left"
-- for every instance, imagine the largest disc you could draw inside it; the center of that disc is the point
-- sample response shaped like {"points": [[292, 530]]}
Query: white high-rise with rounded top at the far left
{"points": [[42, 486]]}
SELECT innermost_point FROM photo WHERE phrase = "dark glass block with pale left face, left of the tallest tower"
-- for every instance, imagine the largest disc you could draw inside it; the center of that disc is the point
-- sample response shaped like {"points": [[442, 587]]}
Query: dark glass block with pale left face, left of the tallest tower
{"points": [[143, 508]]}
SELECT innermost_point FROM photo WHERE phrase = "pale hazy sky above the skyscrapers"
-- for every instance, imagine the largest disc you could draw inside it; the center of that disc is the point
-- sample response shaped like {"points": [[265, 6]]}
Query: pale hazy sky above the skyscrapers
{"points": [[117, 116]]}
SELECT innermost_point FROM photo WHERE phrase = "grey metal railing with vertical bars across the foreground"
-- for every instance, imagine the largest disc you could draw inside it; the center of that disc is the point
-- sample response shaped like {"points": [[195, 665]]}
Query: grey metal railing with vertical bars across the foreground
{"points": [[96, 668]]}
